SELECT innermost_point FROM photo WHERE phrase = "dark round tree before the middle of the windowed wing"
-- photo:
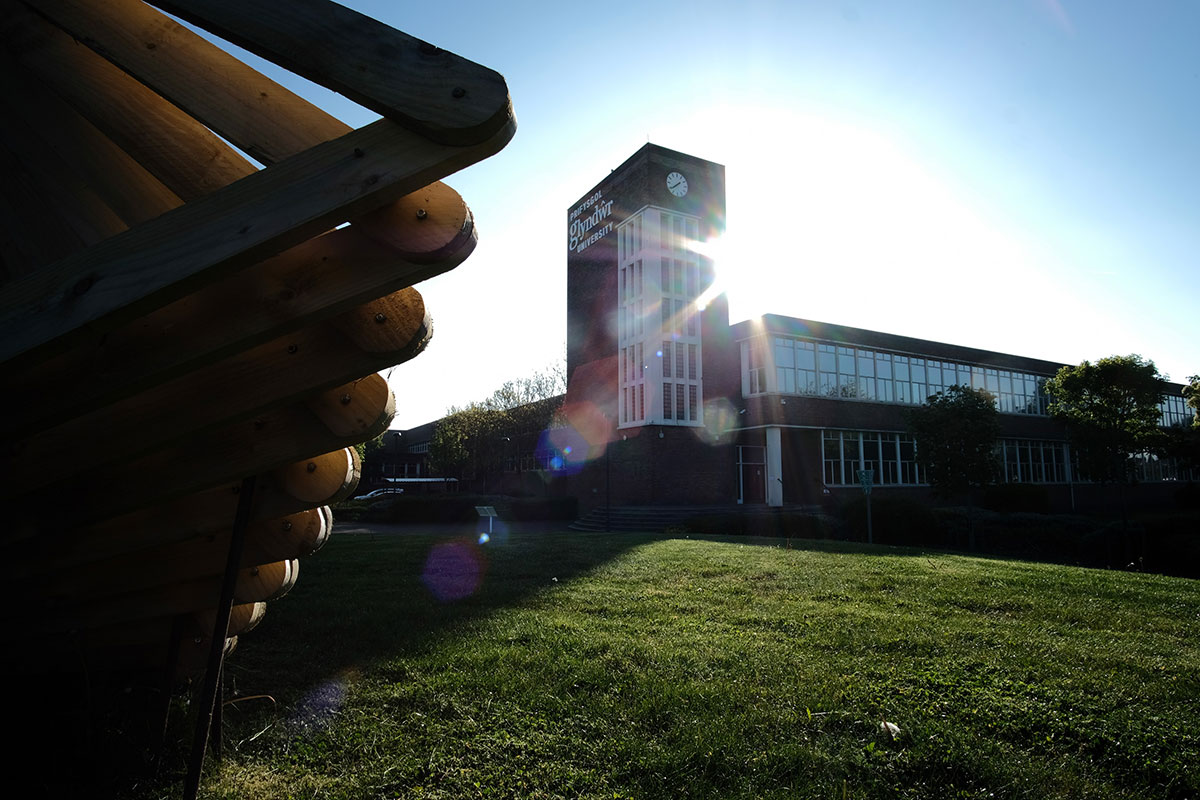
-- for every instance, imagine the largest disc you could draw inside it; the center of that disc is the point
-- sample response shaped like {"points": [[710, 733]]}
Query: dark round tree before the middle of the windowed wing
{"points": [[956, 434]]}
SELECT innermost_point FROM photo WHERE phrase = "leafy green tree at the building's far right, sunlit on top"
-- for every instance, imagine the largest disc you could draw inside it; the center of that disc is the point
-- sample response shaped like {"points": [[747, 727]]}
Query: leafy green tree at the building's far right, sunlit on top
{"points": [[1112, 412]]}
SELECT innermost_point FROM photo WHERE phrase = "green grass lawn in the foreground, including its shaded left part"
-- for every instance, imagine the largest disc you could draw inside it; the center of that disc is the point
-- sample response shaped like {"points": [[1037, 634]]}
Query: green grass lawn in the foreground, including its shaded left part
{"points": [[638, 666]]}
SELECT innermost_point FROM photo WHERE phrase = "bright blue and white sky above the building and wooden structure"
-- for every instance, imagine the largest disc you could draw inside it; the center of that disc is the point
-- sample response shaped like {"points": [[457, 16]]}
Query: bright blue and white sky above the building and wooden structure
{"points": [[1018, 176]]}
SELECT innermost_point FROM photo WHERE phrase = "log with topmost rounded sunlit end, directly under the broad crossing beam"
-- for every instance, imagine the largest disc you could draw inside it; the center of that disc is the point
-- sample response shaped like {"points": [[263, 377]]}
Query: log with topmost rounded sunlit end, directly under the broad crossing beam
{"points": [[425, 233]]}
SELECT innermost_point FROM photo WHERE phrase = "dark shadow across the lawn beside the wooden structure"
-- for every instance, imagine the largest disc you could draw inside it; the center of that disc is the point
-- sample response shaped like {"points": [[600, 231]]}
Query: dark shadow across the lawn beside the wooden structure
{"points": [[385, 592]]}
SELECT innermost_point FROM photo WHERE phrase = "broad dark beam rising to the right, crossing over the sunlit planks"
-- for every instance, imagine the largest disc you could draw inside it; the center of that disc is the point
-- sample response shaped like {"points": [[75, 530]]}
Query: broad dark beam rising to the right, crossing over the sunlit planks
{"points": [[166, 258]]}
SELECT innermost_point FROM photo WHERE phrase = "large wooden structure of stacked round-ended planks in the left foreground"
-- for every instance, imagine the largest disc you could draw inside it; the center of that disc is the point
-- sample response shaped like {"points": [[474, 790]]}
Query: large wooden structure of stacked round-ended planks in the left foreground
{"points": [[188, 336]]}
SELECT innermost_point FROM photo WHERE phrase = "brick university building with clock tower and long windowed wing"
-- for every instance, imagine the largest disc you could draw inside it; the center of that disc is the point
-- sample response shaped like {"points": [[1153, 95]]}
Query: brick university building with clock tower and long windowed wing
{"points": [[771, 412]]}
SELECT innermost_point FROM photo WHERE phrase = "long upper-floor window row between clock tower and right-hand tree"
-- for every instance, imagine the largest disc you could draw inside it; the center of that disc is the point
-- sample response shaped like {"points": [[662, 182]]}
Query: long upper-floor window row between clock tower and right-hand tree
{"points": [[811, 368]]}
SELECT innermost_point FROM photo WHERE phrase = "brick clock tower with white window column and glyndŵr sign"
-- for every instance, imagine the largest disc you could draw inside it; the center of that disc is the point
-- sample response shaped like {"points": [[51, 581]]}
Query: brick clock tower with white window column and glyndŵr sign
{"points": [[637, 268]]}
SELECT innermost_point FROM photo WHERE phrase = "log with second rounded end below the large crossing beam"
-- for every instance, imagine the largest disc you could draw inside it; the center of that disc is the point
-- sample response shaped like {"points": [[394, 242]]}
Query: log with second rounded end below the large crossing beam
{"points": [[377, 335]]}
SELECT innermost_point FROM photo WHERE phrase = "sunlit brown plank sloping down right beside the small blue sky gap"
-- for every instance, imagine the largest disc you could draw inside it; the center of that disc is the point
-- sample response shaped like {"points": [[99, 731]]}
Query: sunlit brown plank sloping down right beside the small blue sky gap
{"points": [[256, 115]]}
